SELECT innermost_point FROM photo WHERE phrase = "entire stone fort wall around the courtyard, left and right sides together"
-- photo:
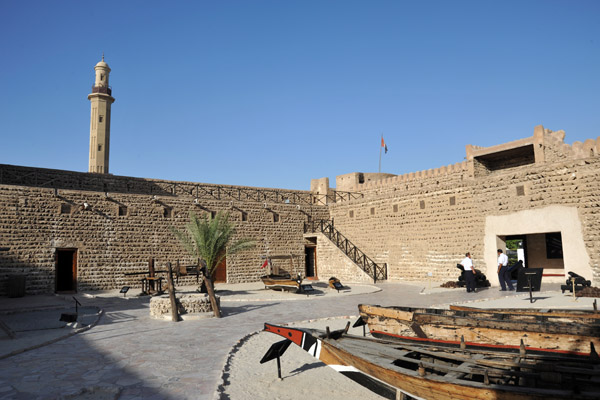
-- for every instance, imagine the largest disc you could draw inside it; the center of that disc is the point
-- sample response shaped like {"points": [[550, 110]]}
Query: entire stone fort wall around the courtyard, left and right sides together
{"points": [[417, 223]]}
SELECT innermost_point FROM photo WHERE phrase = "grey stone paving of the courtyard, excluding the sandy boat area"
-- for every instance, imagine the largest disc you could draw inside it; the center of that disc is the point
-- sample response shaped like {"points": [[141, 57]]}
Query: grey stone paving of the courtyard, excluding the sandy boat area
{"points": [[129, 355]]}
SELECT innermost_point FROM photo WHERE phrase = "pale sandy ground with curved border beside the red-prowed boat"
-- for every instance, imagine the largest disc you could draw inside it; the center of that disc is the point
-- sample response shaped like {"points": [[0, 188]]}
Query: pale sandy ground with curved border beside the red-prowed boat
{"points": [[246, 378]]}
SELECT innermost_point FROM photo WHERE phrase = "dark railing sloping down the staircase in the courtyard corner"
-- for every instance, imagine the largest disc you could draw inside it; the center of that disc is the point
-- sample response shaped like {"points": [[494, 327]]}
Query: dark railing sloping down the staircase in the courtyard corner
{"points": [[371, 268]]}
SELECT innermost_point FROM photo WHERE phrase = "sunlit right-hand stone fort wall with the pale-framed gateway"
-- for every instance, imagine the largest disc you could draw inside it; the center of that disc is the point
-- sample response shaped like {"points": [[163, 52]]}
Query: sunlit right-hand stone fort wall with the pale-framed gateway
{"points": [[424, 222]]}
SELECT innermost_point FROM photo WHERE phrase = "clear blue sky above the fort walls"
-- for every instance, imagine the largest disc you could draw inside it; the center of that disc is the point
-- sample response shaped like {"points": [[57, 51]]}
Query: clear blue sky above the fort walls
{"points": [[276, 93]]}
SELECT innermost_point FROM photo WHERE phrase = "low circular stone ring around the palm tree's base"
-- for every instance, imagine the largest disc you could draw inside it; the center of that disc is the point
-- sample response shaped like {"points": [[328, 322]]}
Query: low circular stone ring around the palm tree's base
{"points": [[190, 306]]}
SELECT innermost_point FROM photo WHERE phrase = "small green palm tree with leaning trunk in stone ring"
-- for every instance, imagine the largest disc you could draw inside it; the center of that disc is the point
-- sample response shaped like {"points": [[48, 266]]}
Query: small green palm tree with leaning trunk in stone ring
{"points": [[209, 239]]}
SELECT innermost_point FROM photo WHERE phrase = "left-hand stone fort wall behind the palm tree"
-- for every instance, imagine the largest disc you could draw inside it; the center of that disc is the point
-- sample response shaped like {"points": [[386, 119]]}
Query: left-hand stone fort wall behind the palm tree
{"points": [[128, 220]]}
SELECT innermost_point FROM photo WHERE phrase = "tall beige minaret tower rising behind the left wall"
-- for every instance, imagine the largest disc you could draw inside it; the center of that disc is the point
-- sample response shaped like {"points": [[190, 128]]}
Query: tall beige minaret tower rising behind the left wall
{"points": [[101, 99]]}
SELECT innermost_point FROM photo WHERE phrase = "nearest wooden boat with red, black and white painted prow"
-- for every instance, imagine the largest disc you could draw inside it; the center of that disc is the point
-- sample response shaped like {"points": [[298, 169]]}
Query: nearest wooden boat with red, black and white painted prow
{"points": [[434, 372]]}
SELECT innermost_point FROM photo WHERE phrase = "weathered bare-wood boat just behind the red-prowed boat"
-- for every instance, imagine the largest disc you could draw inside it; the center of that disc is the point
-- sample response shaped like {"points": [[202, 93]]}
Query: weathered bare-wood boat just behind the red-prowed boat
{"points": [[536, 332]]}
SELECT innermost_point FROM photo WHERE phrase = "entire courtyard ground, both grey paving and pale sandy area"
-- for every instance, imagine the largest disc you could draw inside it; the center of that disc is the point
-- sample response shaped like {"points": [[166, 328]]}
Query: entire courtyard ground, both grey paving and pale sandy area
{"points": [[122, 353]]}
